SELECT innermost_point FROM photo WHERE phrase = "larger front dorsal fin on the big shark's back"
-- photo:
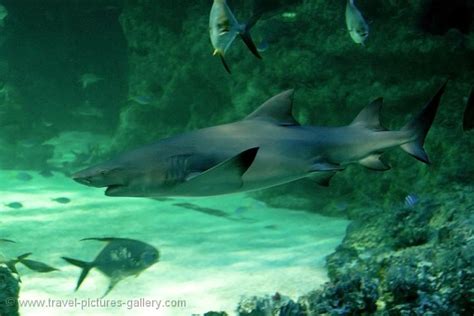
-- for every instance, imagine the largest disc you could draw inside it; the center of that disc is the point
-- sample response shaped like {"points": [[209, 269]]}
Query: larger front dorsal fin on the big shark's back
{"points": [[277, 109]]}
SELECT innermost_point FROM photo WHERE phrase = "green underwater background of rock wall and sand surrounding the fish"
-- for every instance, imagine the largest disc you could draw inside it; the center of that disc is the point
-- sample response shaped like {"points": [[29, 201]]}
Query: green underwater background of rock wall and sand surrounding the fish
{"points": [[83, 80]]}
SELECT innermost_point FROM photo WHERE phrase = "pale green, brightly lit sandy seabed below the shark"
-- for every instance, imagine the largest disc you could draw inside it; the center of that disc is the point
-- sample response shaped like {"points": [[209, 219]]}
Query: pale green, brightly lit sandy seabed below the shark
{"points": [[206, 262]]}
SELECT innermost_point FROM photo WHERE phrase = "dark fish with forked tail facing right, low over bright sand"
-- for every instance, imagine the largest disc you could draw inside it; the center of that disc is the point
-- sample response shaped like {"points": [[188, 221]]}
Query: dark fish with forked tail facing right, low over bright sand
{"points": [[120, 258]]}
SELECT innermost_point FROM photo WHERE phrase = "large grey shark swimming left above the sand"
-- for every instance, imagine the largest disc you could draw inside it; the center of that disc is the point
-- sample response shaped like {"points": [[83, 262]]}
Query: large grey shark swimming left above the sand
{"points": [[265, 149]]}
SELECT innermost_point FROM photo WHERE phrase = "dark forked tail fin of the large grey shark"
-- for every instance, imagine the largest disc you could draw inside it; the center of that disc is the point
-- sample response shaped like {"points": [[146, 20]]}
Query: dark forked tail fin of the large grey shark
{"points": [[420, 125]]}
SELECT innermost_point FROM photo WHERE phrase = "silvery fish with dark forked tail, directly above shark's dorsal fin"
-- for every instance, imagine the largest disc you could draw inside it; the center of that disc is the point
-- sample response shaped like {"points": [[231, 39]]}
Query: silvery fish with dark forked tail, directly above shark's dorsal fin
{"points": [[224, 28]]}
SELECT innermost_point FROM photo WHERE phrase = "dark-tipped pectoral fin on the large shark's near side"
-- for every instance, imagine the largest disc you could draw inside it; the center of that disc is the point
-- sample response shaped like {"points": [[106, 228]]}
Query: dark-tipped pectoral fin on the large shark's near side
{"points": [[228, 172]]}
